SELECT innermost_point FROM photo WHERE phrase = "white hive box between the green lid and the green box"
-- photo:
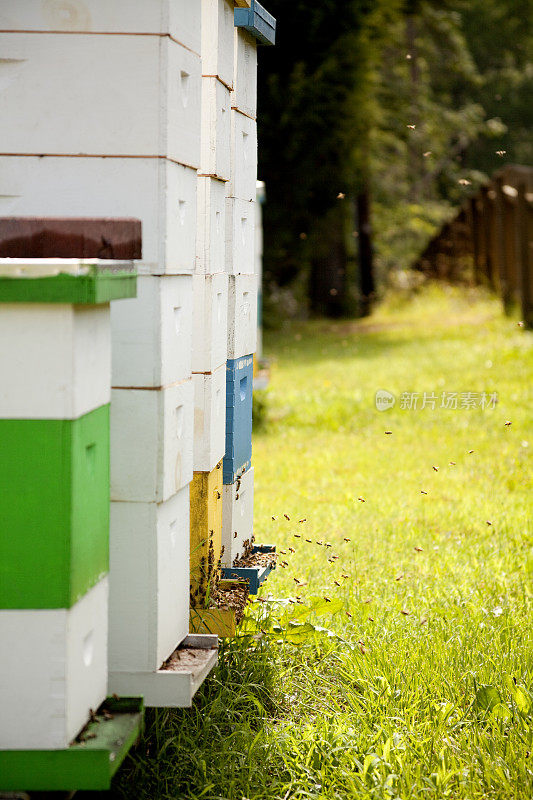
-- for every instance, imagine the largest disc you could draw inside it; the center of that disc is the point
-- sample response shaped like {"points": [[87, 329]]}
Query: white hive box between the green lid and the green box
{"points": [[66, 368]]}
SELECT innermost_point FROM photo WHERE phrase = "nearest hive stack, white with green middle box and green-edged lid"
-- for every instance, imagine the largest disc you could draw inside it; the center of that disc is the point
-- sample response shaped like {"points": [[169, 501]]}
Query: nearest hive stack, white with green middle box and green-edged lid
{"points": [[54, 471]]}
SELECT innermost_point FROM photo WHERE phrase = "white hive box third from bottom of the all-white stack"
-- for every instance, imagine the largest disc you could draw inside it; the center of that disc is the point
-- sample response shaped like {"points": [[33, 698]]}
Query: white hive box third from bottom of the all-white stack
{"points": [[152, 338]]}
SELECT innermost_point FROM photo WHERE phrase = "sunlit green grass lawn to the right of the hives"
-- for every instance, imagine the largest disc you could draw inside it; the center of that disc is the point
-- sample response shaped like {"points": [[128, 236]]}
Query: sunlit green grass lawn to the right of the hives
{"points": [[419, 683]]}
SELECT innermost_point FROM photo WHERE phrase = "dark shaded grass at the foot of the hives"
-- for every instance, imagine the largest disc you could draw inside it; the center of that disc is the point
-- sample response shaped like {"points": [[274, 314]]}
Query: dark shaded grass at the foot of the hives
{"points": [[217, 748]]}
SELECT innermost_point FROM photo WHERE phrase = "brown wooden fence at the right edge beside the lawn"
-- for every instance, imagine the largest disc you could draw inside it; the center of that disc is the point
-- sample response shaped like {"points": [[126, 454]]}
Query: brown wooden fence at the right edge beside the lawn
{"points": [[490, 241]]}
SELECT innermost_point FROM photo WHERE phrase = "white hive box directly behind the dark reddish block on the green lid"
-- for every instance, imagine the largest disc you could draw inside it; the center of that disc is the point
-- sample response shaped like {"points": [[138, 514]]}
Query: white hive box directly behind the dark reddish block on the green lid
{"points": [[160, 193]]}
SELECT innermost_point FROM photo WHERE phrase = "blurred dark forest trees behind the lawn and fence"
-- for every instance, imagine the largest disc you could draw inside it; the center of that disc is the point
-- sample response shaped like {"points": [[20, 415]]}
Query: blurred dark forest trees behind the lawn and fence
{"points": [[377, 118]]}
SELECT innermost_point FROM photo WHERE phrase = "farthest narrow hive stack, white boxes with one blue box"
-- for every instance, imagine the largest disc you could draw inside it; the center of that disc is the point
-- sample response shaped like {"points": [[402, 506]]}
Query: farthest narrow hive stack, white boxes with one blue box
{"points": [[237, 525]]}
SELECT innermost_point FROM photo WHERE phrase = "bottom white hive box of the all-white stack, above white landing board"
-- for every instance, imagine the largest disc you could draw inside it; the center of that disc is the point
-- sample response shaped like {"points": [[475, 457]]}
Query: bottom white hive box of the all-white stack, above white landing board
{"points": [[149, 583]]}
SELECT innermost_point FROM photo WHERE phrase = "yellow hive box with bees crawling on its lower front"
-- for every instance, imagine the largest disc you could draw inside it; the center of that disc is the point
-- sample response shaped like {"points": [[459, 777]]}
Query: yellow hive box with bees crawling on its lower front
{"points": [[206, 532]]}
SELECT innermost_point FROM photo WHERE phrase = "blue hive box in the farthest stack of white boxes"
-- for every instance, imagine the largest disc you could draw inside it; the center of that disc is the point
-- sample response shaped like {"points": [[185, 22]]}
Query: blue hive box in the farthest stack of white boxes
{"points": [[239, 387]]}
